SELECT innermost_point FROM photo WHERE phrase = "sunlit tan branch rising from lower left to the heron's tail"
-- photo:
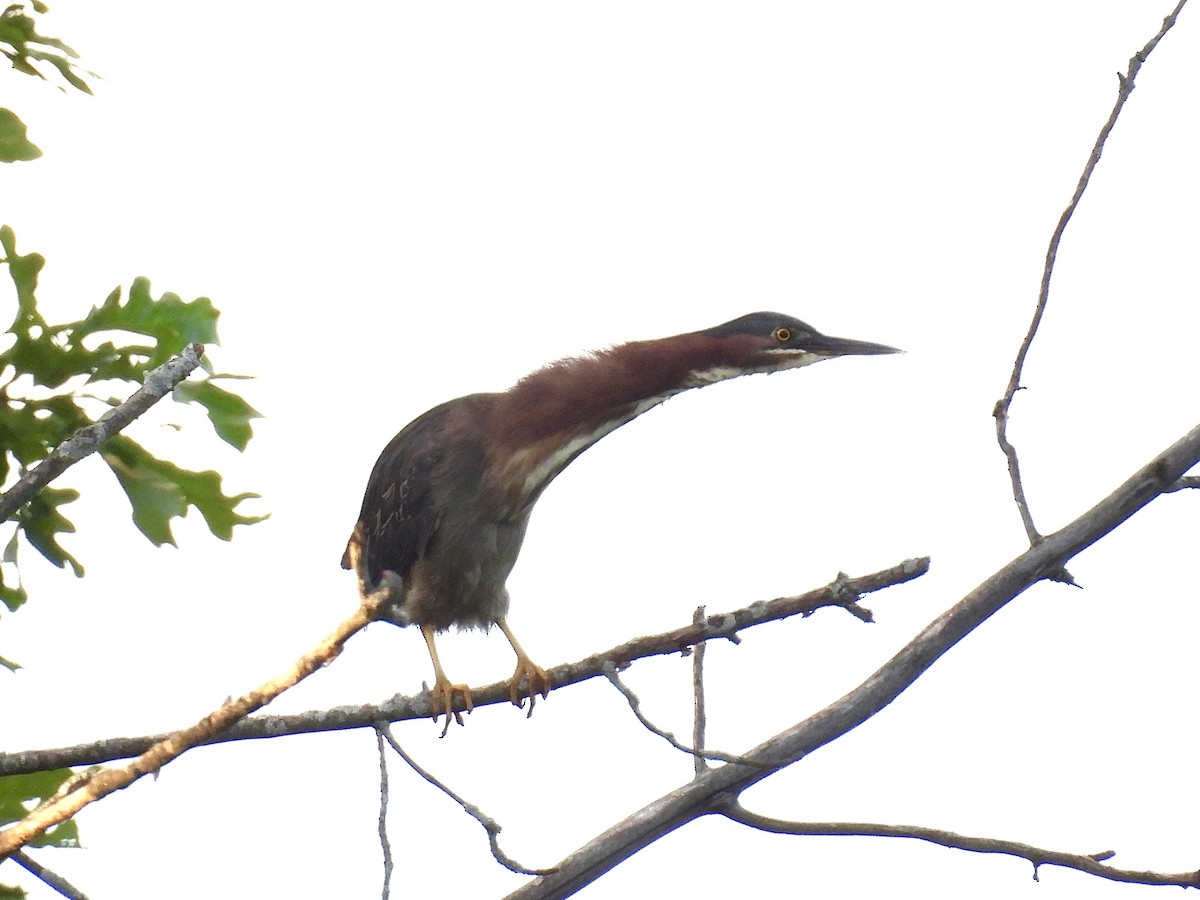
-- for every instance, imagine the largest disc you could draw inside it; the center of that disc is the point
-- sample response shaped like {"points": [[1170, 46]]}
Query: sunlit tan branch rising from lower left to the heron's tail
{"points": [[101, 784]]}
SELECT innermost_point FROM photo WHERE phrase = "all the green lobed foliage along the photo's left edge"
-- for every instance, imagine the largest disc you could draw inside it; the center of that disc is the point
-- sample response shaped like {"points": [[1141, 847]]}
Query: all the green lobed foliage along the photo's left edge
{"points": [[41, 371]]}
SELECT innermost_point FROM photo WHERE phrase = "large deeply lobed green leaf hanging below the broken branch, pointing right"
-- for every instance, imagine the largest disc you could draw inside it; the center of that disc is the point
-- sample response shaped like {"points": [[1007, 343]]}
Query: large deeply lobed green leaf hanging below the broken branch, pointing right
{"points": [[160, 491]]}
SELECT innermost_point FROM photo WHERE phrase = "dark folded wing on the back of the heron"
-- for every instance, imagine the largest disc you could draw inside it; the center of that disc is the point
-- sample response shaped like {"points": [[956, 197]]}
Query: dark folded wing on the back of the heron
{"points": [[399, 515]]}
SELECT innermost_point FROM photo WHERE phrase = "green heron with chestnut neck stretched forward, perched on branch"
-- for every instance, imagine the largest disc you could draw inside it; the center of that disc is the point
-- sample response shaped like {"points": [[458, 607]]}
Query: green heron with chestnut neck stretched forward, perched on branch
{"points": [[448, 502]]}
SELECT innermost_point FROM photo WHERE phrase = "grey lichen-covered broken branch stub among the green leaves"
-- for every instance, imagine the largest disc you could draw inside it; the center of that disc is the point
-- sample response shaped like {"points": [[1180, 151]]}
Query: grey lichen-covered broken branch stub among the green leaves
{"points": [[159, 383]]}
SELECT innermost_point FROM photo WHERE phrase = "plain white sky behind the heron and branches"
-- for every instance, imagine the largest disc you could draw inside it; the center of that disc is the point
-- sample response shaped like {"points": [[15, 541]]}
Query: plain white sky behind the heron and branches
{"points": [[394, 205]]}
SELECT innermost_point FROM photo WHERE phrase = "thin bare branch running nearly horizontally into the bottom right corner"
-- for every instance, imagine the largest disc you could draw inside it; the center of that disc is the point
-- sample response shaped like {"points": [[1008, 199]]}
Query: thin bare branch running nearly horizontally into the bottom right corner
{"points": [[1090, 863]]}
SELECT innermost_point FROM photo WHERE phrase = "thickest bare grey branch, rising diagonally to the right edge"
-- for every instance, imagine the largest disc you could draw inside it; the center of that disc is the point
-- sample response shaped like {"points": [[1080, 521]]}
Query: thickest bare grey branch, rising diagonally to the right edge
{"points": [[712, 791]]}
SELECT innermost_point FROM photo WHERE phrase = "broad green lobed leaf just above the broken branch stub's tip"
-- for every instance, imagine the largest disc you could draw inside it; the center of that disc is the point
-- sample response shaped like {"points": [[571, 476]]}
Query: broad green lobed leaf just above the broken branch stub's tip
{"points": [[170, 321]]}
